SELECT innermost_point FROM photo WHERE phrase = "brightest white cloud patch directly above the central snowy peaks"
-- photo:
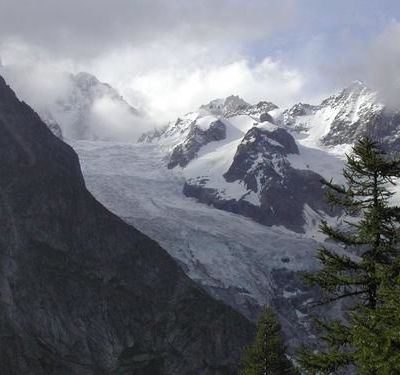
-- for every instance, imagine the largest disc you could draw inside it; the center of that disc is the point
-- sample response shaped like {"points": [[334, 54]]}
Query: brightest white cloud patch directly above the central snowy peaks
{"points": [[173, 92]]}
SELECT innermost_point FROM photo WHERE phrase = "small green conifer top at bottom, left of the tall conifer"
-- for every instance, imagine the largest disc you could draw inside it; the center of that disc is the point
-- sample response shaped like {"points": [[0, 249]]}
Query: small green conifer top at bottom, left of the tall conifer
{"points": [[267, 355]]}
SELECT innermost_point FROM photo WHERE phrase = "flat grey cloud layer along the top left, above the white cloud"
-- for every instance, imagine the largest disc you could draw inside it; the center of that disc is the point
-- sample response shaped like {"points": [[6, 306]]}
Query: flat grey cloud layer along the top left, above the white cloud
{"points": [[83, 29]]}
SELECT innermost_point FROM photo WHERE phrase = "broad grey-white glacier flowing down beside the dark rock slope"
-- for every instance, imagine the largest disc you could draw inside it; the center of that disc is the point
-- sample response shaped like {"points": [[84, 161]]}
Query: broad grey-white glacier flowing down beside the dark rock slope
{"points": [[235, 259]]}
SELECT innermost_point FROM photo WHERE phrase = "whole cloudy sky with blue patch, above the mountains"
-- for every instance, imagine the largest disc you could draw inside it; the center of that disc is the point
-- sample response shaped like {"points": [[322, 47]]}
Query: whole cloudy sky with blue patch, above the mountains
{"points": [[170, 56]]}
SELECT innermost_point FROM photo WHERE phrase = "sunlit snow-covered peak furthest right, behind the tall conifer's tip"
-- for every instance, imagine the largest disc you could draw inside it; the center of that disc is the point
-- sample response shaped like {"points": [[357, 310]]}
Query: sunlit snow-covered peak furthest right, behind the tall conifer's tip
{"points": [[343, 118]]}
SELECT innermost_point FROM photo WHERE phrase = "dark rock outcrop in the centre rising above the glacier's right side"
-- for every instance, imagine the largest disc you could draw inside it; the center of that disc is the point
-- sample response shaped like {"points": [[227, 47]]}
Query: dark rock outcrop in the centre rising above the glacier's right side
{"points": [[277, 194]]}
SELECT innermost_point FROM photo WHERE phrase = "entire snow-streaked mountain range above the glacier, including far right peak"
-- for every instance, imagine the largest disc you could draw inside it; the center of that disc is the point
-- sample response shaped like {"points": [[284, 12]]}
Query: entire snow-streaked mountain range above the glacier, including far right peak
{"points": [[266, 163]]}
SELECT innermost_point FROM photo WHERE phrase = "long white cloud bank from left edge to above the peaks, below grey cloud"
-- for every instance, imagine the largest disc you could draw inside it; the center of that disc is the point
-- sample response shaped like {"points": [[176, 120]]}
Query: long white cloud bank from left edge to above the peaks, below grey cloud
{"points": [[164, 80]]}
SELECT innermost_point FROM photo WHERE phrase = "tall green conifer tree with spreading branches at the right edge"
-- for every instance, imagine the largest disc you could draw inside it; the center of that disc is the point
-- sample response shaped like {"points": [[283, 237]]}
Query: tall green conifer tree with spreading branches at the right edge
{"points": [[372, 238]]}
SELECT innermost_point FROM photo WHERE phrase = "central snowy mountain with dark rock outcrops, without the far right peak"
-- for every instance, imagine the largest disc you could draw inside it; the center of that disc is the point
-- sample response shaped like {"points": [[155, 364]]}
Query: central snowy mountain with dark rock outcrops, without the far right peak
{"points": [[235, 158]]}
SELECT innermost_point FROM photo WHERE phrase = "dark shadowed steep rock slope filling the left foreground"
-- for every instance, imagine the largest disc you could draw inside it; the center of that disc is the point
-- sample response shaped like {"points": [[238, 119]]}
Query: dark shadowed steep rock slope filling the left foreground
{"points": [[82, 292]]}
